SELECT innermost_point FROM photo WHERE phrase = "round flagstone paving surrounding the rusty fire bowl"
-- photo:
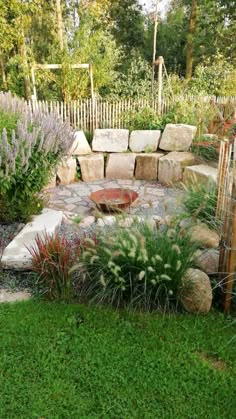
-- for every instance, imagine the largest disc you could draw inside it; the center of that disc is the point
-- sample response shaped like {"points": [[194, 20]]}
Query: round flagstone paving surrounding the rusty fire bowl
{"points": [[154, 198]]}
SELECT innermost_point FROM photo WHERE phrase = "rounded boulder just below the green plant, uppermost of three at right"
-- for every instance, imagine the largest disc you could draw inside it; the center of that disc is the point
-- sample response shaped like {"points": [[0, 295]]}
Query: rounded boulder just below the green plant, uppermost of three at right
{"points": [[203, 235]]}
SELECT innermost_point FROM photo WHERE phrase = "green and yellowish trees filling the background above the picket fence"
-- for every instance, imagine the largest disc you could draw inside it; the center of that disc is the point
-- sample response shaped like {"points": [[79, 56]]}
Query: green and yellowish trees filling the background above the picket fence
{"points": [[116, 36]]}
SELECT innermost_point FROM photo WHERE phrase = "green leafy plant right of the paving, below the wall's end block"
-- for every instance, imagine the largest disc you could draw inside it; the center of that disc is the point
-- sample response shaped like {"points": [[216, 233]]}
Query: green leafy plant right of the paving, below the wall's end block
{"points": [[201, 201]]}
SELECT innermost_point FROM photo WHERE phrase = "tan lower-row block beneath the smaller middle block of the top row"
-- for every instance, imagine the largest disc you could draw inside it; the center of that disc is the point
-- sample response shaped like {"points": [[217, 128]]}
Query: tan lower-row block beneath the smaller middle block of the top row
{"points": [[147, 166]]}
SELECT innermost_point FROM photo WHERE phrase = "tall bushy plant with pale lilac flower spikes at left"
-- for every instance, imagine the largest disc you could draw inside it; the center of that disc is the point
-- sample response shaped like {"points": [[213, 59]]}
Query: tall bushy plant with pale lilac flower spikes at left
{"points": [[29, 154]]}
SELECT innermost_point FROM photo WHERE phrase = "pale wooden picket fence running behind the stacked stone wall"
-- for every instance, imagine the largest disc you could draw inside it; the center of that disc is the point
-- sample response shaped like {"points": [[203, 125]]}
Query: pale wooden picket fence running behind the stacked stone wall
{"points": [[88, 114]]}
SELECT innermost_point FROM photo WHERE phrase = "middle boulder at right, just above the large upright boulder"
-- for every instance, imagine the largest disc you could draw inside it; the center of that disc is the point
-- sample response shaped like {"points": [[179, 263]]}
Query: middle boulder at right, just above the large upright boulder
{"points": [[207, 260]]}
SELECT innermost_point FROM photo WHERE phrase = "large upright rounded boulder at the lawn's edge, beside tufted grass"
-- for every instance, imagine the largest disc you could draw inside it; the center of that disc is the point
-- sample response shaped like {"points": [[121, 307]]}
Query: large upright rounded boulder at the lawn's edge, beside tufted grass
{"points": [[196, 292]]}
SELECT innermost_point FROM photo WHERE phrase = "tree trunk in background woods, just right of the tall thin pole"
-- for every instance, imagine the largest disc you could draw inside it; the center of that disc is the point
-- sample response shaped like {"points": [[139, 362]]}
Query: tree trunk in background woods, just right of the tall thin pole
{"points": [[191, 32]]}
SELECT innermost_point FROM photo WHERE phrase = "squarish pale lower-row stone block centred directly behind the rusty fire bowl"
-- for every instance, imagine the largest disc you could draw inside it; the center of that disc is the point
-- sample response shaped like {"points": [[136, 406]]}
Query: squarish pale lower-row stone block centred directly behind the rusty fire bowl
{"points": [[120, 166]]}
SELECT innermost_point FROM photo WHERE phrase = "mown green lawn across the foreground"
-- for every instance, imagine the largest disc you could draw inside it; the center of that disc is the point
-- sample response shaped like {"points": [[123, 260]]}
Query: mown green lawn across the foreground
{"points": [[73, 361]]}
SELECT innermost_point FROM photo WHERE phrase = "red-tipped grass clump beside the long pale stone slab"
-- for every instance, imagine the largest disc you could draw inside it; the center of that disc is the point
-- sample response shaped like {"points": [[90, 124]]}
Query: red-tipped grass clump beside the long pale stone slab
{"points": [[52, 259]]}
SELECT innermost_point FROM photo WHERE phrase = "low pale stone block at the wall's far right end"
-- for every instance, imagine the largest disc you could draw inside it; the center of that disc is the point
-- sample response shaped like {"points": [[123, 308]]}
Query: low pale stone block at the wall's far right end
{"points": [[200, 173]]}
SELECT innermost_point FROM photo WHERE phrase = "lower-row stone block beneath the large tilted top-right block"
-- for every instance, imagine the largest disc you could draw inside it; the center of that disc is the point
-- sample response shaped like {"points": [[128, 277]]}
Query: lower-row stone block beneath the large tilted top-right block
{"points": [[172, 165]]}
